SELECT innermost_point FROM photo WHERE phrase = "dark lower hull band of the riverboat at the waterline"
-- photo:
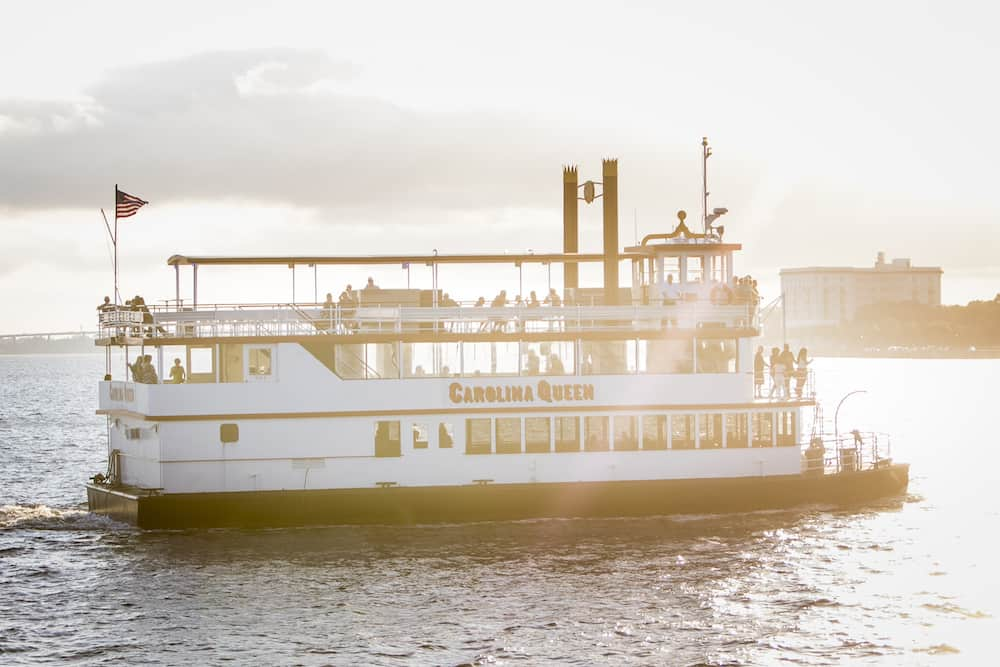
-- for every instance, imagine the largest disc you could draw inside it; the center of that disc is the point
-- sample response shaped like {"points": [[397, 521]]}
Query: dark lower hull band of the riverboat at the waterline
{"points": [[492, 502]]}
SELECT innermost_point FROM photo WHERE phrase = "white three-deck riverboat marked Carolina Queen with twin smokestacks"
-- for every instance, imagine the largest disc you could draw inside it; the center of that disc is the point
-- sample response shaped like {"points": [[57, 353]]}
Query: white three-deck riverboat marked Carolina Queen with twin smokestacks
{"points": [[402, 406]]}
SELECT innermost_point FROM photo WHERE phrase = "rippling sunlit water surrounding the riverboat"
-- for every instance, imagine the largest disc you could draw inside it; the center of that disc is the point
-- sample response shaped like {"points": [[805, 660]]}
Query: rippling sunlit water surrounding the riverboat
{"points": [[908, 581]]}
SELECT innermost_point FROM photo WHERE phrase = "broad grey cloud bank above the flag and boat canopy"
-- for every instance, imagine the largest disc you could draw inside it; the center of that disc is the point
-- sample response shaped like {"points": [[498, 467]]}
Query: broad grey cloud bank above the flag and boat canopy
{"points": [[265, 126]]}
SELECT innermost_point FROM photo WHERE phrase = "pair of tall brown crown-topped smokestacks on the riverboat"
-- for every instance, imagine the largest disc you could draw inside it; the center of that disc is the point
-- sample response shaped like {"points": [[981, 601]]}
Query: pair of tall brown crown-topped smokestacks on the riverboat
{"points": [[571, 226]]}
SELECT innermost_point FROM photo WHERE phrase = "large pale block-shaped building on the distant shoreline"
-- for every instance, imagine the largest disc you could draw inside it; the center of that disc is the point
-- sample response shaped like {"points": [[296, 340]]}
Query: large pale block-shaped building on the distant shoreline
{"points": [[823, 297]]}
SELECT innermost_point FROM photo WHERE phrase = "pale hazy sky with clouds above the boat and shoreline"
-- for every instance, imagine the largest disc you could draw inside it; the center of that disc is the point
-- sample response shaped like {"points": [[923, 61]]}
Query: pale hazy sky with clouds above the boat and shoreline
{"points": [[358, 128]]}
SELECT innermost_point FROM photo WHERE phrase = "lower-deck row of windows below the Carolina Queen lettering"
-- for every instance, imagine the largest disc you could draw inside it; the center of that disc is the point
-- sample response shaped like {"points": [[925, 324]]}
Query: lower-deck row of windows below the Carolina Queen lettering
{"points": [[598, 433]]}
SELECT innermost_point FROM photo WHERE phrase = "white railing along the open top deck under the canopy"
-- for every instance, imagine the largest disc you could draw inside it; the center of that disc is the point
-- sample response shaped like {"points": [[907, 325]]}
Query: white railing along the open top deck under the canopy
{"points": [[283, 319]]}
